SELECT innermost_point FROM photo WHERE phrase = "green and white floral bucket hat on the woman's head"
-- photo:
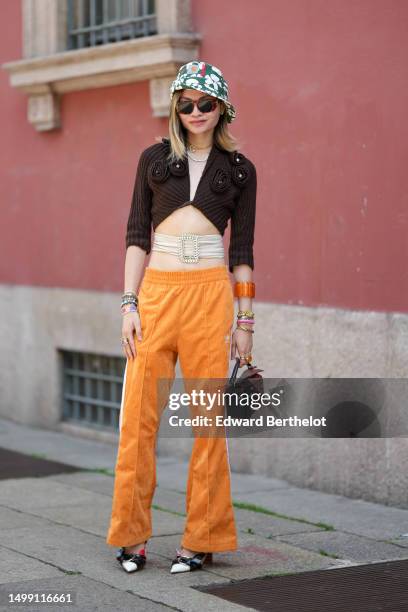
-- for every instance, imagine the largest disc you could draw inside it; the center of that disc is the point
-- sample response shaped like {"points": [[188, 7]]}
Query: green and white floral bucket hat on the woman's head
{"points": [[205, 78]]}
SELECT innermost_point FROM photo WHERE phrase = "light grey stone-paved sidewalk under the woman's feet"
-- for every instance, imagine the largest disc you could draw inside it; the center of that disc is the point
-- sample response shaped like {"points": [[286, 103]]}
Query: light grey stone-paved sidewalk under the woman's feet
{"points": [[53, 529]]}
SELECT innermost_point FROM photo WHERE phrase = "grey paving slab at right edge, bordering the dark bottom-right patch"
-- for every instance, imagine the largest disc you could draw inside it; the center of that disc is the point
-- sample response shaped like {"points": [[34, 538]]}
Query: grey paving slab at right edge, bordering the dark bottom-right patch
{"points": [[347, 546]]}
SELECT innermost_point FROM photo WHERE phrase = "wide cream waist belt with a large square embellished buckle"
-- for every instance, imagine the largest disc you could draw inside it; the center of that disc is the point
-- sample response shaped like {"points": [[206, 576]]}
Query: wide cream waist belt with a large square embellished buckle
{"points": [[189, 247]]}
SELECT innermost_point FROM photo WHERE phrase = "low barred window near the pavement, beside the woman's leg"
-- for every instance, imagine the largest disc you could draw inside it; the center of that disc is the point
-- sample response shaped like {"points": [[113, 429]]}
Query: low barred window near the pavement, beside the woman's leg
{"points": [[92, 389]]}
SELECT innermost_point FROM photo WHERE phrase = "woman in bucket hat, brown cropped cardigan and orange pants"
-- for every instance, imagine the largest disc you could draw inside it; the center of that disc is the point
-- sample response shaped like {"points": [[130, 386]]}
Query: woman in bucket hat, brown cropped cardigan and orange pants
{"points": [[187, 187]]}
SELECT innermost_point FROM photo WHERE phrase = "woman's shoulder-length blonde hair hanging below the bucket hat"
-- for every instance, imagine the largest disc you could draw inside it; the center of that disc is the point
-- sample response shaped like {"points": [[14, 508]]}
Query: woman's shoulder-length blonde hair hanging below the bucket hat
{"points": [[177, 133]]}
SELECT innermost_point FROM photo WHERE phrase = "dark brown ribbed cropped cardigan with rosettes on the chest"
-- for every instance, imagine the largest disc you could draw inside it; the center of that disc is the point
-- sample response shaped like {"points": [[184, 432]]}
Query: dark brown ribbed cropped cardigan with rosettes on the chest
{"points": [[227, 189]]}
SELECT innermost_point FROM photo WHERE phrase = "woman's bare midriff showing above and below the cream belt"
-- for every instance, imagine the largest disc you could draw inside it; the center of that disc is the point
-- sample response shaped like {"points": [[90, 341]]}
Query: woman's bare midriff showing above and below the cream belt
{"points": [[190, 219]]}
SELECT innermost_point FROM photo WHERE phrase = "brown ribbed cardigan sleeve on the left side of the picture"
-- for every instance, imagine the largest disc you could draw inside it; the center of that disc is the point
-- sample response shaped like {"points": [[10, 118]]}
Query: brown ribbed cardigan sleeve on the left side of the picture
{"points": [[139, 221]]}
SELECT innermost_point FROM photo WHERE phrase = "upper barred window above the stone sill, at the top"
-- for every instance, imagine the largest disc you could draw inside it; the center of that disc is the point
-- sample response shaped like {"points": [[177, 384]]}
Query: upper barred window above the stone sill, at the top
{"points": [[97, 22]]}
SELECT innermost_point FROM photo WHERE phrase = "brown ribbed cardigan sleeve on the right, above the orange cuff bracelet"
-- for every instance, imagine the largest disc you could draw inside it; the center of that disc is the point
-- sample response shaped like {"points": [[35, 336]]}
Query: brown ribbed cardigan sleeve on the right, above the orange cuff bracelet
{"points": [[243, 224]]}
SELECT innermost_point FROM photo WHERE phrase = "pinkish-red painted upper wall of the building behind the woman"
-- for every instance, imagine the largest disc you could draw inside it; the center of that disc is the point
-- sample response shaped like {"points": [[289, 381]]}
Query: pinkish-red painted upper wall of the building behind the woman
{"points": [[321, 95]]}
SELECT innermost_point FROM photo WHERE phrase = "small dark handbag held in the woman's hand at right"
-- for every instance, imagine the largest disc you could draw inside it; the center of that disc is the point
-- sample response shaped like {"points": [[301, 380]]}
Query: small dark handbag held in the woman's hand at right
{"points": [[249, 382]]}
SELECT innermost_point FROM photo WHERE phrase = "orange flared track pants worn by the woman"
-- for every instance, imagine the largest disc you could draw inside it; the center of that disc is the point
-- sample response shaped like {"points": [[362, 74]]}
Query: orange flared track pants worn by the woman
{"points": [[186, 314]]}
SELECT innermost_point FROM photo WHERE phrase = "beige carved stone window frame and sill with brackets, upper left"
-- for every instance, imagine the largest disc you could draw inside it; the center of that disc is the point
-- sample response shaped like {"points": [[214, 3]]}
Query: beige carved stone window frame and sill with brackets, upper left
{"points": [[48, 70]]}
